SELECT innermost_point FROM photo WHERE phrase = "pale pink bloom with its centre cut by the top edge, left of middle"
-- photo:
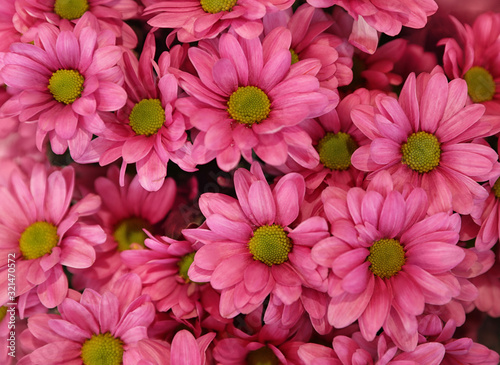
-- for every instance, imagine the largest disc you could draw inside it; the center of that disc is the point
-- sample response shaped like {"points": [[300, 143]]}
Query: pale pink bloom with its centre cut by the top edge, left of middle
{"points": [[193, 20]]}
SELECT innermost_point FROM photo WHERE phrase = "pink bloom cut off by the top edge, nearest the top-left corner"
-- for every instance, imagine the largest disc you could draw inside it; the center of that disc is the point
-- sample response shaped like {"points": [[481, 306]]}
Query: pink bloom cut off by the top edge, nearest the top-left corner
{"points": [[108, 13]]}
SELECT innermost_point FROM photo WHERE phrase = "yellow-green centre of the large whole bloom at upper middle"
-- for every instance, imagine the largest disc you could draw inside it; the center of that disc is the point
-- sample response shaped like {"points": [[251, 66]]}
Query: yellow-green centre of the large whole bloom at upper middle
{"points": [[248, 105]]}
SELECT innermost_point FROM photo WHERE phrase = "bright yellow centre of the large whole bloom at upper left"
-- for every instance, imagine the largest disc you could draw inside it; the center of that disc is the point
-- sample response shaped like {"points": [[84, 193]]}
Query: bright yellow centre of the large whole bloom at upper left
{"points": [[66, 85]]}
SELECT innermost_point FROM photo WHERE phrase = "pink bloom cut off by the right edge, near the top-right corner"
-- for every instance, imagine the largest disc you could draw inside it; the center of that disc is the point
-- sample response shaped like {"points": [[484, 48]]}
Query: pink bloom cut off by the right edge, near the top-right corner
{"points": [[473, 56]]}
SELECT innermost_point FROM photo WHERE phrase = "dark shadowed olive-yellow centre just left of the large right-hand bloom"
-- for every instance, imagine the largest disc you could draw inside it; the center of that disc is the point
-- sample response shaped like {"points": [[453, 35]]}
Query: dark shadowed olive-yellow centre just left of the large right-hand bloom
{"points": [[335, 150]]}
